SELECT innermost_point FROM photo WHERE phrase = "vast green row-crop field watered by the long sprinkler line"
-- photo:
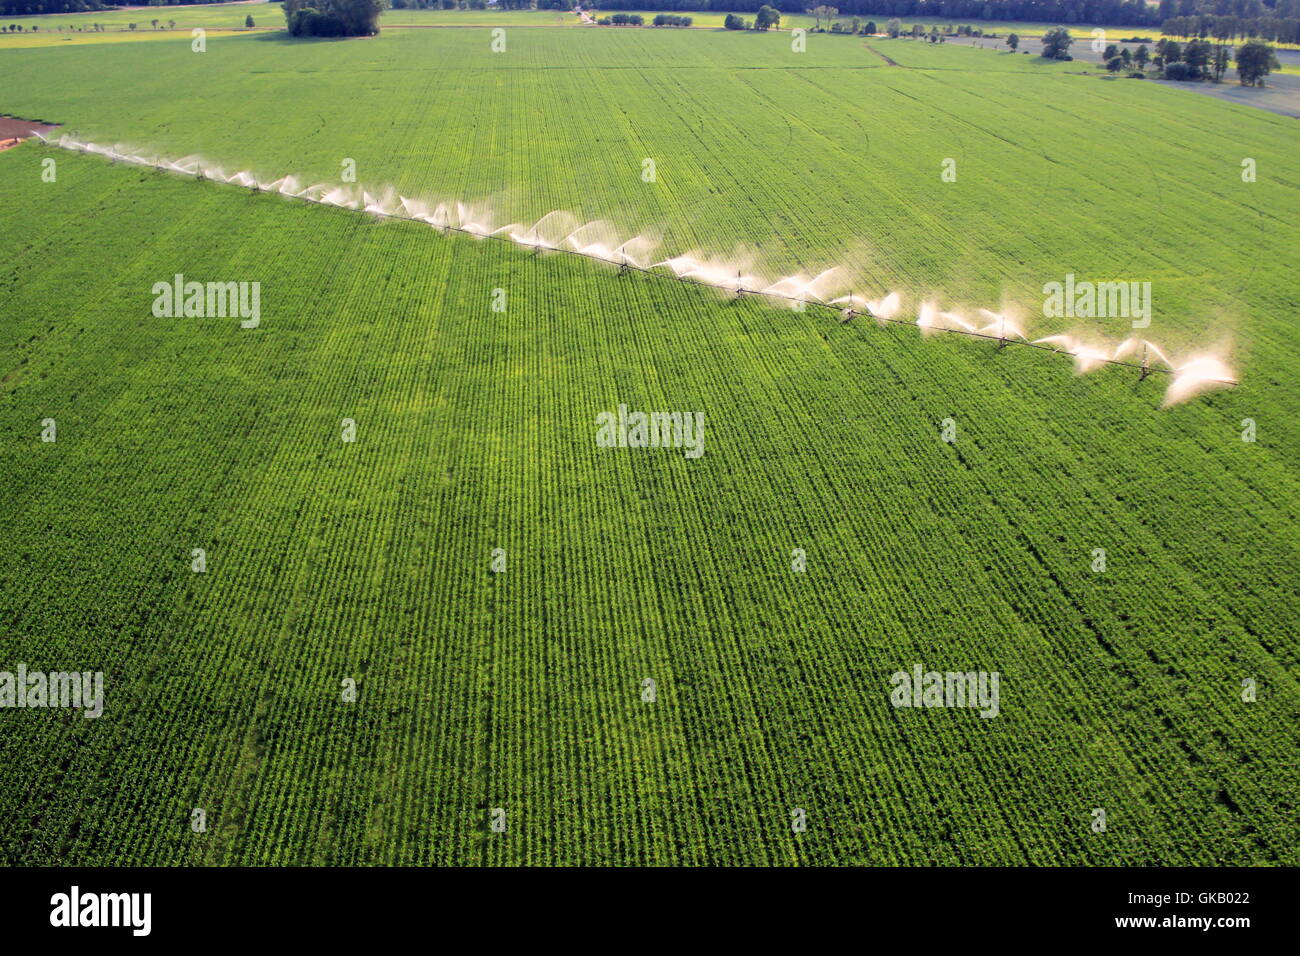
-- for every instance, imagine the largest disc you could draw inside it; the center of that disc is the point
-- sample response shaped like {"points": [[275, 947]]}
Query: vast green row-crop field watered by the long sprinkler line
{"points": [[499, 589]]}
